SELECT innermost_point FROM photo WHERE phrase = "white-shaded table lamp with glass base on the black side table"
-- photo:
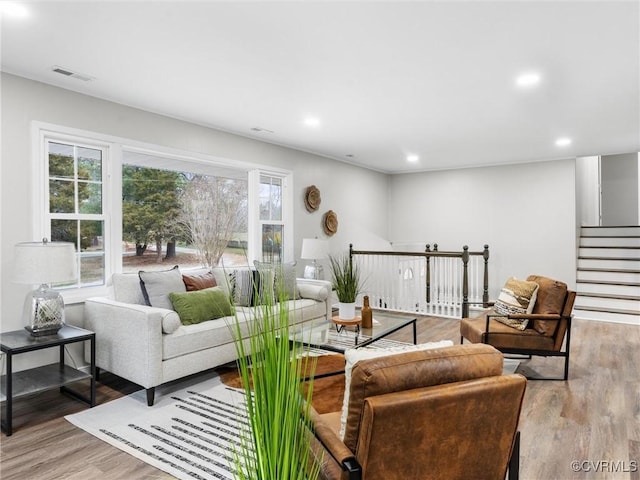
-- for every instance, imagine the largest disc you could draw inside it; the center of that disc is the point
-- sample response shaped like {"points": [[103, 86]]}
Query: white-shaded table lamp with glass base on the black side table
{"points": [[44, 263]]}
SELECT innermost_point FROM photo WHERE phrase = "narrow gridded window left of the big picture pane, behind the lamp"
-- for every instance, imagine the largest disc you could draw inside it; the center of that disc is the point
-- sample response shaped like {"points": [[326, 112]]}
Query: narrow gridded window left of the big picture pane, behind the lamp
{"points": [[75, 211]]}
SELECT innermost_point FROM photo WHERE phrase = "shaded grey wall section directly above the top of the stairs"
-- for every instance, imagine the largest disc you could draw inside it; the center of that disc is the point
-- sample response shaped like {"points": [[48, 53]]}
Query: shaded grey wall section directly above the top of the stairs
{"points": [[619, 176]]}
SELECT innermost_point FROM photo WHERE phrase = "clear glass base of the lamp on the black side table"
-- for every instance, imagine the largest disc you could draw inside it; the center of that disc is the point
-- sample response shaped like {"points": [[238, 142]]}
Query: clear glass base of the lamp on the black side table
{"points": [[43, 312]]}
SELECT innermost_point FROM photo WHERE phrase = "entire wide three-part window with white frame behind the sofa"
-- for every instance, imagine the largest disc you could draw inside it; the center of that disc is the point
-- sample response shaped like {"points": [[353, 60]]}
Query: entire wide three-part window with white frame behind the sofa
{"points": [[129, 206]]}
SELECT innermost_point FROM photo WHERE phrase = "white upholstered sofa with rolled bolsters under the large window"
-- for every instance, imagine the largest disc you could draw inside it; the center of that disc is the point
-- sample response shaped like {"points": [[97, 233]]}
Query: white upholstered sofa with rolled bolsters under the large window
{"points": [[149, 345]]}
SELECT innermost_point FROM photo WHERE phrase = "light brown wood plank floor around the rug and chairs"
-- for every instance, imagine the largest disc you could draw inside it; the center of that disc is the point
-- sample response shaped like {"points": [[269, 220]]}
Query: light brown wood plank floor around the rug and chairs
{"points": [[591, 419]]}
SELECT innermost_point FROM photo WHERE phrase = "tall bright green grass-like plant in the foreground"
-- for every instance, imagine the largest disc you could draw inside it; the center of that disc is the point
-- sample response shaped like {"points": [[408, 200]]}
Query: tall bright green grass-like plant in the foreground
{"points": [[277, 442]]}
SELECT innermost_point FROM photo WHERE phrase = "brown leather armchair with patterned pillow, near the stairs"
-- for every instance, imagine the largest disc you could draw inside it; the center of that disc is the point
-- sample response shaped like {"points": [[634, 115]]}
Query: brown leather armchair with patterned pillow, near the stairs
{"points": [[549, 324]]}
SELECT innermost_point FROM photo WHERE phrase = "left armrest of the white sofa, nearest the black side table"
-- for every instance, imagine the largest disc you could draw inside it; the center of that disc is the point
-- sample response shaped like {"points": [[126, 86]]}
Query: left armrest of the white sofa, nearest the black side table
{"points": [[128, 338]]}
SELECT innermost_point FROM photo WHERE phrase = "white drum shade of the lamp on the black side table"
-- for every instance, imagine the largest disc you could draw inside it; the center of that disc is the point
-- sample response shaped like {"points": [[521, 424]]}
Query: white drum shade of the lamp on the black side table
{"points": [[44, 262]]}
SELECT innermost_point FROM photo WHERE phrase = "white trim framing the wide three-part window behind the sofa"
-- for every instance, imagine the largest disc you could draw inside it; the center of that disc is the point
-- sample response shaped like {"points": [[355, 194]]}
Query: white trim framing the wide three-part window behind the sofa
{"points": [[113, 180]]}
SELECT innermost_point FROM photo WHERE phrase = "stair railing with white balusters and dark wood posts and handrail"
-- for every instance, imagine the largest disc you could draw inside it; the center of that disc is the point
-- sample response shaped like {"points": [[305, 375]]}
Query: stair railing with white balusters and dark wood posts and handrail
{"points": [[439, 283]]}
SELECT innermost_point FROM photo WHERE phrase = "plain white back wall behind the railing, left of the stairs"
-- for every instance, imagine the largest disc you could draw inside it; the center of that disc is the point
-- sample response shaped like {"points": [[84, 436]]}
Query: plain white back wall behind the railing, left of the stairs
{"points": [[525, 213]]}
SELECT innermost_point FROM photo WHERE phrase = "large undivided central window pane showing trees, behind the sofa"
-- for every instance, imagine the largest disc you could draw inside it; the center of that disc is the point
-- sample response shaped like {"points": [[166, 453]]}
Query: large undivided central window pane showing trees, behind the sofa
{"points": [[185, 214]]}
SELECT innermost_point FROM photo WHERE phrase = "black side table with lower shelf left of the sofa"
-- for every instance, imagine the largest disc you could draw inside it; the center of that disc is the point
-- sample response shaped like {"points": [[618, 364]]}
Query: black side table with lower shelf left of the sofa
{"points": [[39, 379]]}
